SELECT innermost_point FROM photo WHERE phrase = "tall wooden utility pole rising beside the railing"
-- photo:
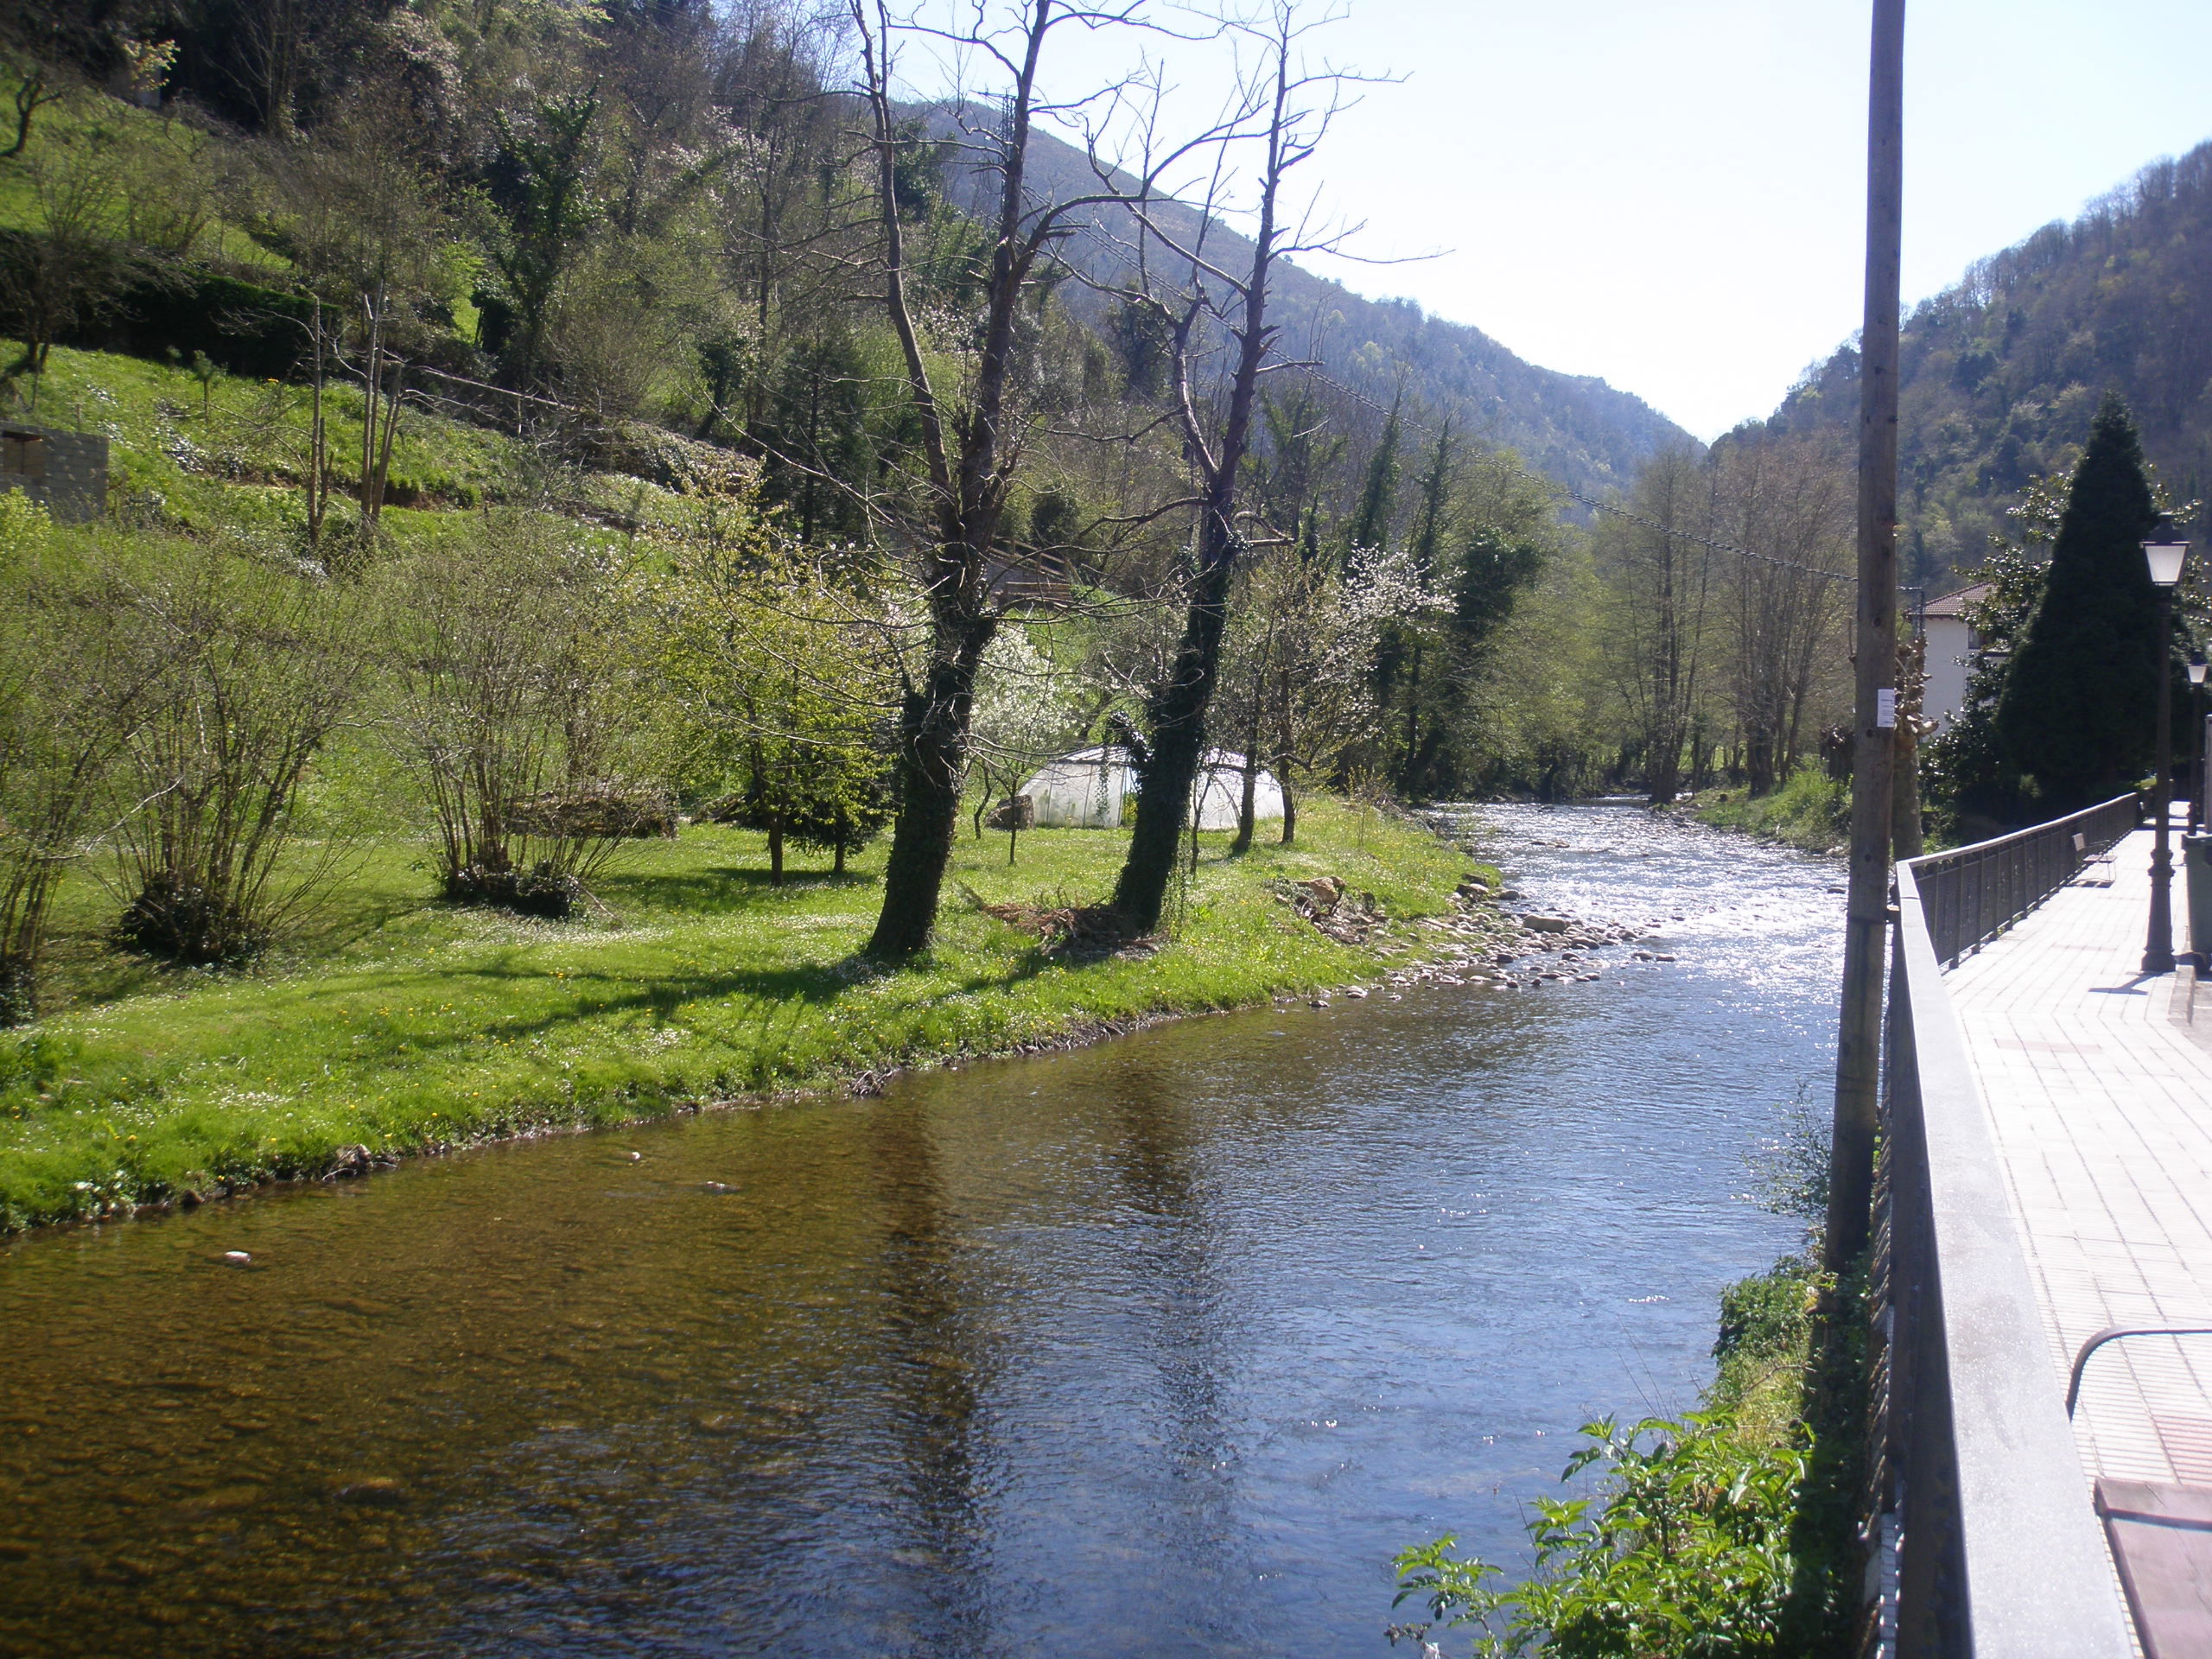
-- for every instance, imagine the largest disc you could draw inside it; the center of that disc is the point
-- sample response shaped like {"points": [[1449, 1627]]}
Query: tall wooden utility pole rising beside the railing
{"points": [[1859, 1039]]}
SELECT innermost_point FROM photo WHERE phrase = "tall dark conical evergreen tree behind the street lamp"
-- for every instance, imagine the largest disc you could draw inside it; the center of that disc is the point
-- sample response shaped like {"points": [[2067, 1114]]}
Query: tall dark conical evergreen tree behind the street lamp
{"points": [[2078, 702]]}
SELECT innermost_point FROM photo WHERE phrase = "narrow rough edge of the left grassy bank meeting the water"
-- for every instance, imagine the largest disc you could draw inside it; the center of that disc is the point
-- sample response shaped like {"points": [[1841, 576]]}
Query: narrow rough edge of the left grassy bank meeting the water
{"points": [[1392, 948]]}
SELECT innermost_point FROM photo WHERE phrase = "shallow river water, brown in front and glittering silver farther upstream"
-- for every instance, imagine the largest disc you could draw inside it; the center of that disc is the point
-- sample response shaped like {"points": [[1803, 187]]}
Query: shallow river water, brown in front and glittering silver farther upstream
{"points": [[1160, 1348]]}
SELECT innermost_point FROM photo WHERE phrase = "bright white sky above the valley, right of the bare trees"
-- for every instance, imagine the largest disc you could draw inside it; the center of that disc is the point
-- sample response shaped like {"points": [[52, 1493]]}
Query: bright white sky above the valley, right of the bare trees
{"points": [[1671, 194]]}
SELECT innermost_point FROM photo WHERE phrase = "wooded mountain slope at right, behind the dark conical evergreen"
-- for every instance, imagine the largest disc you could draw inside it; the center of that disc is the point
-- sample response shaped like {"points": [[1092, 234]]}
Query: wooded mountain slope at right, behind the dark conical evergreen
{"points": [[2003, 371]]}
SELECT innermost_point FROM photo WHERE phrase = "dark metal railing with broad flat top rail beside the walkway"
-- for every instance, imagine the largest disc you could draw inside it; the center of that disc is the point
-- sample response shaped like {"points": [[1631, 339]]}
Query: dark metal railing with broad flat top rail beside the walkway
{"points": [[1981, 1519]]}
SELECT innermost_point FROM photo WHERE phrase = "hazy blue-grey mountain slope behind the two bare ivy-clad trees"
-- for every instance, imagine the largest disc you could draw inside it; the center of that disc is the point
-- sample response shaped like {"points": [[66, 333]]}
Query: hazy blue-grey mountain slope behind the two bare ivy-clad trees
{"points": [[1572, 428]]}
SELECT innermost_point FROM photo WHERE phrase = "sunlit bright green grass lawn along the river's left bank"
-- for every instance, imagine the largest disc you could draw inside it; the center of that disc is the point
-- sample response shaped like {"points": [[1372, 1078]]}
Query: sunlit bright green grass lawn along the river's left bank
{"points": [[404, 1025]]}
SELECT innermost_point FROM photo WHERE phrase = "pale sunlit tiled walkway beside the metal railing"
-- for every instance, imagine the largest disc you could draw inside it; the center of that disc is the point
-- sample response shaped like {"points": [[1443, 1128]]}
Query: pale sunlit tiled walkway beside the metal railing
{"points": [[2100, 1096]]}
